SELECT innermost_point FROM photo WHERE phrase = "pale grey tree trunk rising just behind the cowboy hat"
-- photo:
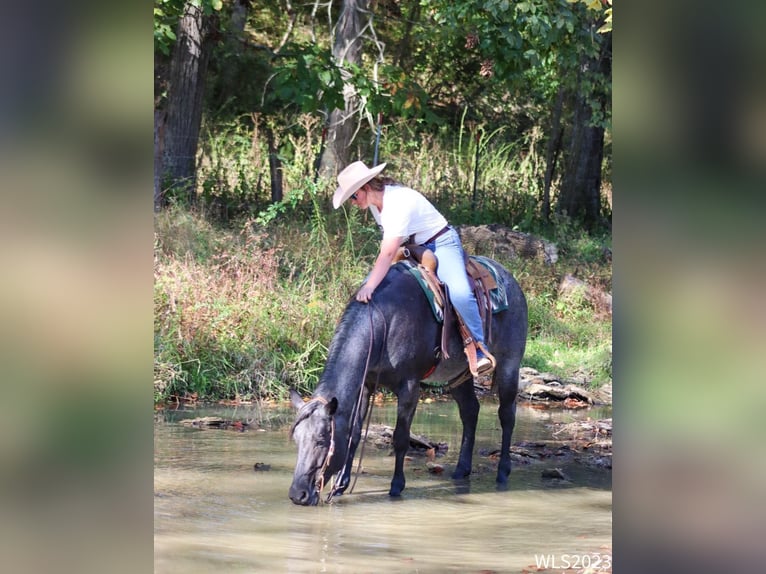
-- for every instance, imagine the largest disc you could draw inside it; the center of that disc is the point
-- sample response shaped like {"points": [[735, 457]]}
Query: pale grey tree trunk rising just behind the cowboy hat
{"points": [[346, 48]]}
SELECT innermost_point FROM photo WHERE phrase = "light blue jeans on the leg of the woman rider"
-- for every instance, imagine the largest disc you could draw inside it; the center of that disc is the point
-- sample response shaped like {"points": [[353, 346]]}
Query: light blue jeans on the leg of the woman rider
{"points": [[449, 251]]}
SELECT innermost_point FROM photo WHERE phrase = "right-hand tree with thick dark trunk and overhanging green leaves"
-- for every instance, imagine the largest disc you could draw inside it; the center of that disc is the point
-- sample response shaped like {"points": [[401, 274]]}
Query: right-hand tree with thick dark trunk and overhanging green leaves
{"points": [[537, 55]]}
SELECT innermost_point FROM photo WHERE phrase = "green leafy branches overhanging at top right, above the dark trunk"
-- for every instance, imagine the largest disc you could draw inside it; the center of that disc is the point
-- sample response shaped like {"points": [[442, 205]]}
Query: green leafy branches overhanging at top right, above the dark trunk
{"points": [[501, 51]]}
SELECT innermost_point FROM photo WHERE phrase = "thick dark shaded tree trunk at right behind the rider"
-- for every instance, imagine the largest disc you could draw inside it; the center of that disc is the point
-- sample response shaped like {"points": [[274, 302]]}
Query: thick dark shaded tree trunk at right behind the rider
{"points": [[580, 196]]}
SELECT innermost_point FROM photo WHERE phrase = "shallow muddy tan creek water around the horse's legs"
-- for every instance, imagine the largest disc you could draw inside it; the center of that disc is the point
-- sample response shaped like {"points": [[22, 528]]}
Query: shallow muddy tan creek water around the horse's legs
{"points": [[215, 512]]}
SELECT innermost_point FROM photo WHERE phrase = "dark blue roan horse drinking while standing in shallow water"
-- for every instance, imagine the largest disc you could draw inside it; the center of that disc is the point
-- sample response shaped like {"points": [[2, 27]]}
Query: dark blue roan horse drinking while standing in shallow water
{"points": [[392, 342]]}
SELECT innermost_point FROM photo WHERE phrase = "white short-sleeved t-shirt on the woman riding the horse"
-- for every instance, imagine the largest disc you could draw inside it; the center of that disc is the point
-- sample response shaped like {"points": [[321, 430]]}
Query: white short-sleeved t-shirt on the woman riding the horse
{"points": [[406, 212]]}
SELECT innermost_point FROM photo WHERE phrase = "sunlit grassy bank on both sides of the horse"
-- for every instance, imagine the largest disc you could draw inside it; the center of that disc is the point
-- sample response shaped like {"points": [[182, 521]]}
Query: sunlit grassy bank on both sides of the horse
{"points": [[245, 315]]}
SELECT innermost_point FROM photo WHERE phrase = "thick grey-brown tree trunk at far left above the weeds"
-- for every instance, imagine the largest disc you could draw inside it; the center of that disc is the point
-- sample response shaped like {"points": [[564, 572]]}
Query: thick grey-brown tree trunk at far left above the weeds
{"points": [[185, 93]]}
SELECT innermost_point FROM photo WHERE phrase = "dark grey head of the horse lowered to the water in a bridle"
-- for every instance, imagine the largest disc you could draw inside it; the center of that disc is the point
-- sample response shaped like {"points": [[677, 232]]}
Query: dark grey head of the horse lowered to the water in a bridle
{"points": [[314, 433]]}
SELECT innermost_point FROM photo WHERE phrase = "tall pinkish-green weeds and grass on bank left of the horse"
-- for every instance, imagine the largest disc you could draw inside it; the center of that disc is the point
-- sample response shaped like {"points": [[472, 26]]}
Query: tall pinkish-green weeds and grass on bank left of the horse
{"points": [[241, 312]]}
